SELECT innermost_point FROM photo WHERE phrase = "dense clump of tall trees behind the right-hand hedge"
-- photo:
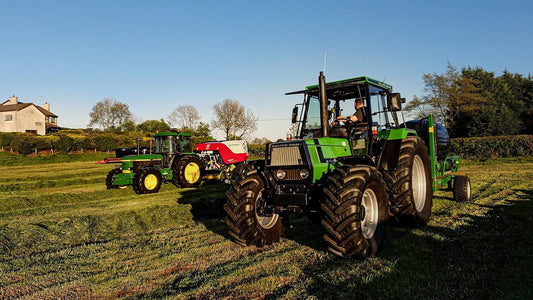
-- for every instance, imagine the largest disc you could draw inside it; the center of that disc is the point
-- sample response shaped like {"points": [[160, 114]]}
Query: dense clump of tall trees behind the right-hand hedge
{"points": [[475, 102]]}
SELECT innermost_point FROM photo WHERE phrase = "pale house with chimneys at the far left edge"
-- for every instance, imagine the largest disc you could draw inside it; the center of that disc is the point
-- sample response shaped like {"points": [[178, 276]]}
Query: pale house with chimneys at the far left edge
{"points": [[16, 116]]}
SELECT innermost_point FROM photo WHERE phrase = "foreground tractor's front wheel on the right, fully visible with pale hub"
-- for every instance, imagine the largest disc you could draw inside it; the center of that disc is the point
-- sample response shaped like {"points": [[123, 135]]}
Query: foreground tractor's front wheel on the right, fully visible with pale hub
{"points": [[354, 211]]}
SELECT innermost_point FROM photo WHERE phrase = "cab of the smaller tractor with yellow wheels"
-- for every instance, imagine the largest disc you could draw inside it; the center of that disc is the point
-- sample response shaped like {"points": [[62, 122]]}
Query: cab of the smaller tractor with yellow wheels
{"points": [[168, 144]]}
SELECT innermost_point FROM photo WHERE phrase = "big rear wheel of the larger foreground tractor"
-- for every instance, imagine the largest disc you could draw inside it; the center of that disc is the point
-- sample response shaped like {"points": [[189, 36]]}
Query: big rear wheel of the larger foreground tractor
{"points": [[412, 187]]}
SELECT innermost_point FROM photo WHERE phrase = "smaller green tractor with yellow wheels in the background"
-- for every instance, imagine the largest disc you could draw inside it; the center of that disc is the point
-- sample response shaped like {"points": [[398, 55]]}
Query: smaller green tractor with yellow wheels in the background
{"points": [[172, 161]]}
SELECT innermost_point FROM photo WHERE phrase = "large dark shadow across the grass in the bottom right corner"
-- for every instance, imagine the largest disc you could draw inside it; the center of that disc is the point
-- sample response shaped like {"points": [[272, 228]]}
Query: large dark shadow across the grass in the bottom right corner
{"points": [[489, 258]]}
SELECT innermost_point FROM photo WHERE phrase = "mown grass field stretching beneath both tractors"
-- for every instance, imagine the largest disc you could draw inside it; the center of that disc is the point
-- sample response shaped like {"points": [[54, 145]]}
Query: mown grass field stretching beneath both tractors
{"points": [[63, 235]]}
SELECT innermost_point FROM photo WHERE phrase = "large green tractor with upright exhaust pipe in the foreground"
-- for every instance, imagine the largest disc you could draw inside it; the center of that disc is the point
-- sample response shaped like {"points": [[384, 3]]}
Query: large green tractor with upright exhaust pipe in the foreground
{"points": [[352, 176]]}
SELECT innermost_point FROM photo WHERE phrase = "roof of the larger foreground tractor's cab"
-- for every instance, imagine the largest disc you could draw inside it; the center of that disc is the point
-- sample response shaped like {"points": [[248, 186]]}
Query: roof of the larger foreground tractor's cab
{"points": [[344, 89]]}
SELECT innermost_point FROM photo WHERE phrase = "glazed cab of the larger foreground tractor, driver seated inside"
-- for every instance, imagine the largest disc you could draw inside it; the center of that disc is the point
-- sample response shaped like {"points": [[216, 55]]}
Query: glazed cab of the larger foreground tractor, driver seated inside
{"points": [[319, 119]]}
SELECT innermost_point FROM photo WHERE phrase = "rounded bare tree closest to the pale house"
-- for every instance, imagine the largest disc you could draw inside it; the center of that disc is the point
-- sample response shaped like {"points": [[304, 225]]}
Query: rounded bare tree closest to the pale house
{"points": [[109, 114]]}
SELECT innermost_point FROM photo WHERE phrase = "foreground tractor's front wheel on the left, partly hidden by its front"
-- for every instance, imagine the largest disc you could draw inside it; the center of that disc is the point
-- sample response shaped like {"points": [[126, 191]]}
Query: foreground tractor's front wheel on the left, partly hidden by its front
{"points": [[246, 223]]}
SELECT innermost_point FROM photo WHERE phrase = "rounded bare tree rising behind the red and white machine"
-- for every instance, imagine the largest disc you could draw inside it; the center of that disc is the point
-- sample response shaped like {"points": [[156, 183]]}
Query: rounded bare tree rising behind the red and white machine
{"points": [[234, 119]]}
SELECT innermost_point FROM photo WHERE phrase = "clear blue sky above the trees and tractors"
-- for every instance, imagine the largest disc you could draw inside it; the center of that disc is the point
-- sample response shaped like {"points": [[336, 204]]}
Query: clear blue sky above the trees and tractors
{"points": [[157, 55]]}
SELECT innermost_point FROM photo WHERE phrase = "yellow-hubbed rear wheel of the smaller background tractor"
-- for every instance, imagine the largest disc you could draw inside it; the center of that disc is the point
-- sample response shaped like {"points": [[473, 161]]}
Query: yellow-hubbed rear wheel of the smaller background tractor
{"points": [[187, 172]]}
